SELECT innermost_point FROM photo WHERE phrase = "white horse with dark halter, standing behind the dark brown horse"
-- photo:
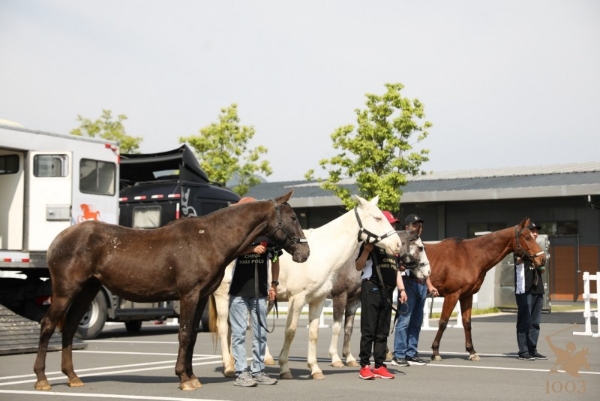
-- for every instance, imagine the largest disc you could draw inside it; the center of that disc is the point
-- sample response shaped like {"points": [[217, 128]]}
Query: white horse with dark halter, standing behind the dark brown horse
{"points": [[331, 246]]}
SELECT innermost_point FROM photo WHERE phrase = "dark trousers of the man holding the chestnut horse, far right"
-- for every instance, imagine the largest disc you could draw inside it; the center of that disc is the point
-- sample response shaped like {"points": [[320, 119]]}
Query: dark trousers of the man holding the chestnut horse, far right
{"points": [[529, 316]]}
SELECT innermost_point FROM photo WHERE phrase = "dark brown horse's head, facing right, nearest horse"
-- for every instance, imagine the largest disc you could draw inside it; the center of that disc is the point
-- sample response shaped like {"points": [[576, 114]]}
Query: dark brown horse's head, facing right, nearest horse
{"points": [[285, 230]]}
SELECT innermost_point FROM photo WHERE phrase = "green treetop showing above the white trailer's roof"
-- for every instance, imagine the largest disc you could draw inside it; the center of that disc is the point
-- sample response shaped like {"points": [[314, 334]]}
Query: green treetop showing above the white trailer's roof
{"points": [[107, 128]]}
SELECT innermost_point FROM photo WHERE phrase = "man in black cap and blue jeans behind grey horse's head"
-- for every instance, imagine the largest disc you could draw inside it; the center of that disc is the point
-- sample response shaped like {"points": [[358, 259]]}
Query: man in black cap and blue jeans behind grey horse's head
{"points": [[410, 317]]}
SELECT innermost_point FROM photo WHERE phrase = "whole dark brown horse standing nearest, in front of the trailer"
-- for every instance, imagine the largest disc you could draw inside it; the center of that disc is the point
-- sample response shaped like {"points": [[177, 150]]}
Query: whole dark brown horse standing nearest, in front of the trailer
{"points": [[183, 260]]}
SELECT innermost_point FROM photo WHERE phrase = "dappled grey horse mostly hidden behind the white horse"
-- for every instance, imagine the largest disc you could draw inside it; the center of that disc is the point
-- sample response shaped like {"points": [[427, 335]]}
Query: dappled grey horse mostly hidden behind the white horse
{"points": [[346, 299]]}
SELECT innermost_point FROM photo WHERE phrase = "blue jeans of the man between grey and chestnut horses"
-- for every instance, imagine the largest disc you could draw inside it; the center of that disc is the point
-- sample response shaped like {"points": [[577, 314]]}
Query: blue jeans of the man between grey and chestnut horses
{"points": [[408, 326]]}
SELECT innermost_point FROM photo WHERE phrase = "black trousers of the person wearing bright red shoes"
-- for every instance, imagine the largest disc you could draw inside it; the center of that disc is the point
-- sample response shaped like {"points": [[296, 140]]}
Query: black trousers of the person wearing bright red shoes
{"points": [[375, 317]]}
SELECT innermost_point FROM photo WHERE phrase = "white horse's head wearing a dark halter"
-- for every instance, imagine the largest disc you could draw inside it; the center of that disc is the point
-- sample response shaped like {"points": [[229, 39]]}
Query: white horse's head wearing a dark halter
{"points": [[374, 227]]}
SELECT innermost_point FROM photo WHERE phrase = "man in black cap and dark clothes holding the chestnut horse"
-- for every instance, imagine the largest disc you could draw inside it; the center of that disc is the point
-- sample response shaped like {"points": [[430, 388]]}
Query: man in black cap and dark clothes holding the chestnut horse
{"points": [[529, 293]]}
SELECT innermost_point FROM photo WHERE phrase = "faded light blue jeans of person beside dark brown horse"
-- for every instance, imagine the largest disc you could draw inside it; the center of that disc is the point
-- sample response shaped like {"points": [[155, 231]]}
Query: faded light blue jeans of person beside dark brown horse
{"points": [[238, 318]]}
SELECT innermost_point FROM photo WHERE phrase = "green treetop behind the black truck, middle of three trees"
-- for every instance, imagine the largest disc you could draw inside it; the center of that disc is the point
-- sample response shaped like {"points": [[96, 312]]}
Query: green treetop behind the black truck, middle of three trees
{"points": [[222, 149]]}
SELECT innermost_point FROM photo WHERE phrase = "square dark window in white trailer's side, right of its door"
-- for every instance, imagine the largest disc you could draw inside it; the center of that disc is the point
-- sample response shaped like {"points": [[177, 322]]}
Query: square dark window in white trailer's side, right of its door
{"points": [[97, 177]]}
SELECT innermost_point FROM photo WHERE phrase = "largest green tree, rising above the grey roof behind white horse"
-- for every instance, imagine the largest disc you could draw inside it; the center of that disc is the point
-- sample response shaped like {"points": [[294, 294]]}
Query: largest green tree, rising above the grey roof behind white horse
{"points": [[378, 153]]}
